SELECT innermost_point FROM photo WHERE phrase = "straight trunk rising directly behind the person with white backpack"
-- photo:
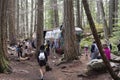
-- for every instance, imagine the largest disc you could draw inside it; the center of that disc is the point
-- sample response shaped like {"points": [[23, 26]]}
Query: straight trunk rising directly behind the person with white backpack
{"points": [[40, 24]]}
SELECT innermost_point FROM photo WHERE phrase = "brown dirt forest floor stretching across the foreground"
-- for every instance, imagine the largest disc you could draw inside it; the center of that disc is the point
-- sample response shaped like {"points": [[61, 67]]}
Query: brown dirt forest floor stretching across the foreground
{"points": [[29, 70]]}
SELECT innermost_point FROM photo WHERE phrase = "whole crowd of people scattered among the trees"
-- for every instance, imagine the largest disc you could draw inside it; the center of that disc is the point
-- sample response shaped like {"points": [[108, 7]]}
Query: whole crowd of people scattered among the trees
{"points": [[25, 47]]}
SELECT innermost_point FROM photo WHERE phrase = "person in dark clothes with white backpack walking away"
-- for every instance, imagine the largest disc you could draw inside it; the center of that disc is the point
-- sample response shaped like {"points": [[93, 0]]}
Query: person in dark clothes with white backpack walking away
{"points": [[42, 60]]}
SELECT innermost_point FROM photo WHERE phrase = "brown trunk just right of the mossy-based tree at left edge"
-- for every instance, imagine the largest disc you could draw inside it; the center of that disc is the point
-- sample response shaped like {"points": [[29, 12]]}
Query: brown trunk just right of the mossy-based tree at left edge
{"points": [[12, 36]]}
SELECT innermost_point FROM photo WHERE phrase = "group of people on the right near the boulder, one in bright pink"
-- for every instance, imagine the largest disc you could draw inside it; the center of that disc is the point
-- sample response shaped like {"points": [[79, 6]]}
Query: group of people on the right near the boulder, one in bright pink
{"points": [[94, 52]]}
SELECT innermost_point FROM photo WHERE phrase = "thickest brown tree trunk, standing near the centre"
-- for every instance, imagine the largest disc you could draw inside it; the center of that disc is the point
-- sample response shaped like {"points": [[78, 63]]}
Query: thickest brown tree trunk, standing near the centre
{"points": [[69, 35]]}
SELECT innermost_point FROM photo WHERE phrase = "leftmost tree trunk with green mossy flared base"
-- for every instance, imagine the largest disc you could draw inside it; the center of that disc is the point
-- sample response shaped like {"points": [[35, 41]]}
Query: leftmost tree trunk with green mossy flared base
{"points": [[4, 65]]}
